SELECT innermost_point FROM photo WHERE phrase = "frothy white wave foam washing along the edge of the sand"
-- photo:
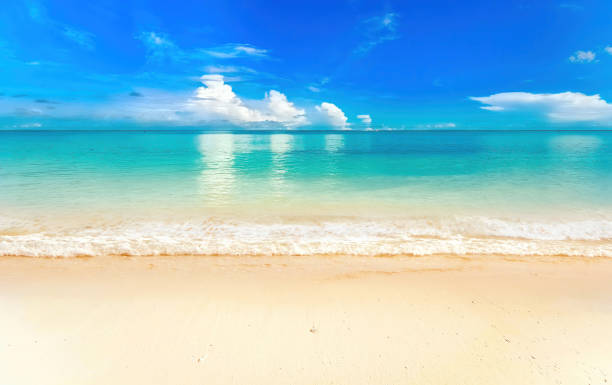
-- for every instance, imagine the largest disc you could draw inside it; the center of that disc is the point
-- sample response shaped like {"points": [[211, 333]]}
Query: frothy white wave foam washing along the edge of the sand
{"points": [[340, 236]]}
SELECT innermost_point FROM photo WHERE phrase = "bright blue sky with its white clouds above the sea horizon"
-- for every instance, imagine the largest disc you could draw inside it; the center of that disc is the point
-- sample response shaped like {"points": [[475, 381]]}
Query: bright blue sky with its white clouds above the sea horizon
{"points": [[306, 65]]}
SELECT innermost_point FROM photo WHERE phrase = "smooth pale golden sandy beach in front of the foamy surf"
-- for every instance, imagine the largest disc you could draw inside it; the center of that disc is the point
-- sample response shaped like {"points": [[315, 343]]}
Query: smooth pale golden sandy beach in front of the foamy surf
{"points": [[337, 320]]}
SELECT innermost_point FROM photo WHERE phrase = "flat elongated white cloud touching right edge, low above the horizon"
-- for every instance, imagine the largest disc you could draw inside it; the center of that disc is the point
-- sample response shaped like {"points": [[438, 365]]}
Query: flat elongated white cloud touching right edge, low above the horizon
{"points": [[561, 107]]}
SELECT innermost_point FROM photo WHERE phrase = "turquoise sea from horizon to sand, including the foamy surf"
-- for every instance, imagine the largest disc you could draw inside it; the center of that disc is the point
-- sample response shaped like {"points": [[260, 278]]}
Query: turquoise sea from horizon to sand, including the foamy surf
{"points": [[362, 193]]}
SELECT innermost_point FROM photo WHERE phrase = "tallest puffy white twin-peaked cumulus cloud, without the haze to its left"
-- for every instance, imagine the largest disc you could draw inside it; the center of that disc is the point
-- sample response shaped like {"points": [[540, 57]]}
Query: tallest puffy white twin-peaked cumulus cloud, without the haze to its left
{"points": [[217, 101]]}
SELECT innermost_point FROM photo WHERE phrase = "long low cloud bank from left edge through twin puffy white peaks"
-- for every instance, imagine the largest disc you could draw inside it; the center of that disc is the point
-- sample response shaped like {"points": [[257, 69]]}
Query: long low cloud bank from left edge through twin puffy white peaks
{"points": [[214, 102]]}
